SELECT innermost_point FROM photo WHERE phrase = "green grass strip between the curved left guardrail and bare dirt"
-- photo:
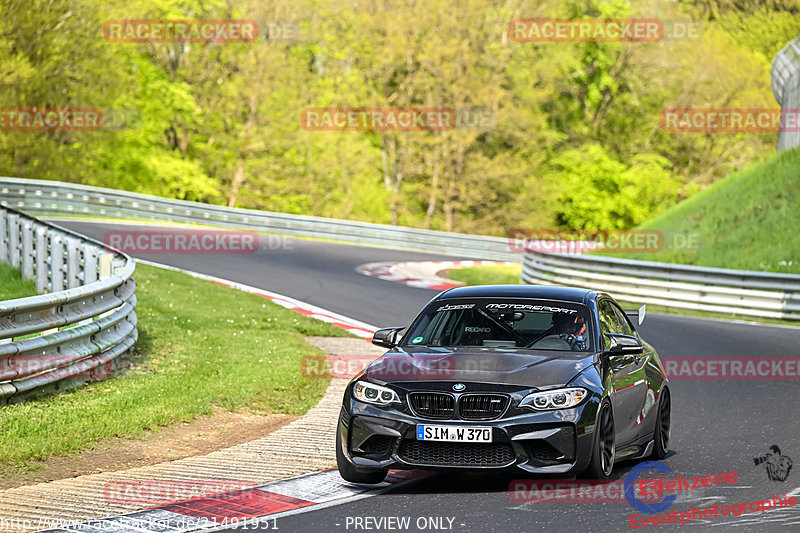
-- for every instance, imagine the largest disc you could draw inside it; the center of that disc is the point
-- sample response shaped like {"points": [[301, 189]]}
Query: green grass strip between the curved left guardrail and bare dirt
{"points": [[201, 345]]}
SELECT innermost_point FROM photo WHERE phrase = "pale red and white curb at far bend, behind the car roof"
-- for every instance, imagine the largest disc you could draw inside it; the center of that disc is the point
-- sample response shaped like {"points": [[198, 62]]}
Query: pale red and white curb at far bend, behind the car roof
{"points": [[422, 274]]}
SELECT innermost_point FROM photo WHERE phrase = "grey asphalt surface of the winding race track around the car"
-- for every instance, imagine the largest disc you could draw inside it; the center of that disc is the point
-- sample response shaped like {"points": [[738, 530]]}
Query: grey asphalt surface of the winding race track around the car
{"points": [[718, 426]]}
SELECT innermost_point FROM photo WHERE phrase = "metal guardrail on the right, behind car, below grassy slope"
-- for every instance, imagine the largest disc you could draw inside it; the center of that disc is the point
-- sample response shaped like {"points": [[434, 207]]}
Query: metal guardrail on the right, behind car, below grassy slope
{"points": [[719, 290]]}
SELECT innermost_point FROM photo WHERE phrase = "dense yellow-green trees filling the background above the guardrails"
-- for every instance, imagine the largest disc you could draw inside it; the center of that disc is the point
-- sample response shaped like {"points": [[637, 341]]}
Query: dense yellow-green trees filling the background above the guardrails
{"points": [[220, 122]]}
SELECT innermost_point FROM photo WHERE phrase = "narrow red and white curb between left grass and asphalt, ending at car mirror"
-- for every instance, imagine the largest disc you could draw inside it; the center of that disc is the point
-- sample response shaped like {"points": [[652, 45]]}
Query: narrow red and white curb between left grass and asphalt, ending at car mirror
{"points": [[351, 325]]}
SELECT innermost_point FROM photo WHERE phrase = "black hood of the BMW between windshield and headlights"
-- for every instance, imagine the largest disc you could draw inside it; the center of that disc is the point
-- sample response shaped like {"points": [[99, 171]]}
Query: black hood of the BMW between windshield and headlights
{"points": [[507, 366]]}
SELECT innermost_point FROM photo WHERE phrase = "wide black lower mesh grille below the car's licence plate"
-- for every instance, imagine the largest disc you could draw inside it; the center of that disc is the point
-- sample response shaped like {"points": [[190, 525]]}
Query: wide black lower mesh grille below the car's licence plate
{"points": [[456, 453]]}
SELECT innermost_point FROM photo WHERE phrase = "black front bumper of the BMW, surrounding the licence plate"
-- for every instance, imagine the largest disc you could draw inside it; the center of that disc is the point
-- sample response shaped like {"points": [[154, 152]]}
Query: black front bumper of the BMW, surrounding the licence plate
{"points": [[542, 442]]}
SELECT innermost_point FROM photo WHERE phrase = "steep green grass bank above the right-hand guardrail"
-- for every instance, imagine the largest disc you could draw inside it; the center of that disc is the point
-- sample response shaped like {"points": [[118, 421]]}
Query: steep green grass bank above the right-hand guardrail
{"points": [[748, 220]]}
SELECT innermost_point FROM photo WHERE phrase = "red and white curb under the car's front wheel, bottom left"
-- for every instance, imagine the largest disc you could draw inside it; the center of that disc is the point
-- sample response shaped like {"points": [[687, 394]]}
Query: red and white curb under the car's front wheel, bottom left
{"points": [[255, 508]]}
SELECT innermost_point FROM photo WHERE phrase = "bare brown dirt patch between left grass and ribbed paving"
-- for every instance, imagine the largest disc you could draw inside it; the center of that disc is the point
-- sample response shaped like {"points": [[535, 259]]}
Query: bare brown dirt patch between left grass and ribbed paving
{"points": [[203, 435]]}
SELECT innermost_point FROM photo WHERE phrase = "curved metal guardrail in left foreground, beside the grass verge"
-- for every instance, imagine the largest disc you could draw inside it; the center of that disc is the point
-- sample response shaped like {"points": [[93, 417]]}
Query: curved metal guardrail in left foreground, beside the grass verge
{"points": [[76, 330]]}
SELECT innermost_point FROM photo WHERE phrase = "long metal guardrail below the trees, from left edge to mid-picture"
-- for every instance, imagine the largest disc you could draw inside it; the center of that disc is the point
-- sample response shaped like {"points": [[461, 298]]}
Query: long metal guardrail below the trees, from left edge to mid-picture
{"points": [[42, 197]]}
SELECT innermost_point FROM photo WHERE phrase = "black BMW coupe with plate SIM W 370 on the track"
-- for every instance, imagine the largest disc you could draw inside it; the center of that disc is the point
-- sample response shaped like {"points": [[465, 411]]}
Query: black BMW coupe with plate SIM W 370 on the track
{"points": [[551, 380]]}
